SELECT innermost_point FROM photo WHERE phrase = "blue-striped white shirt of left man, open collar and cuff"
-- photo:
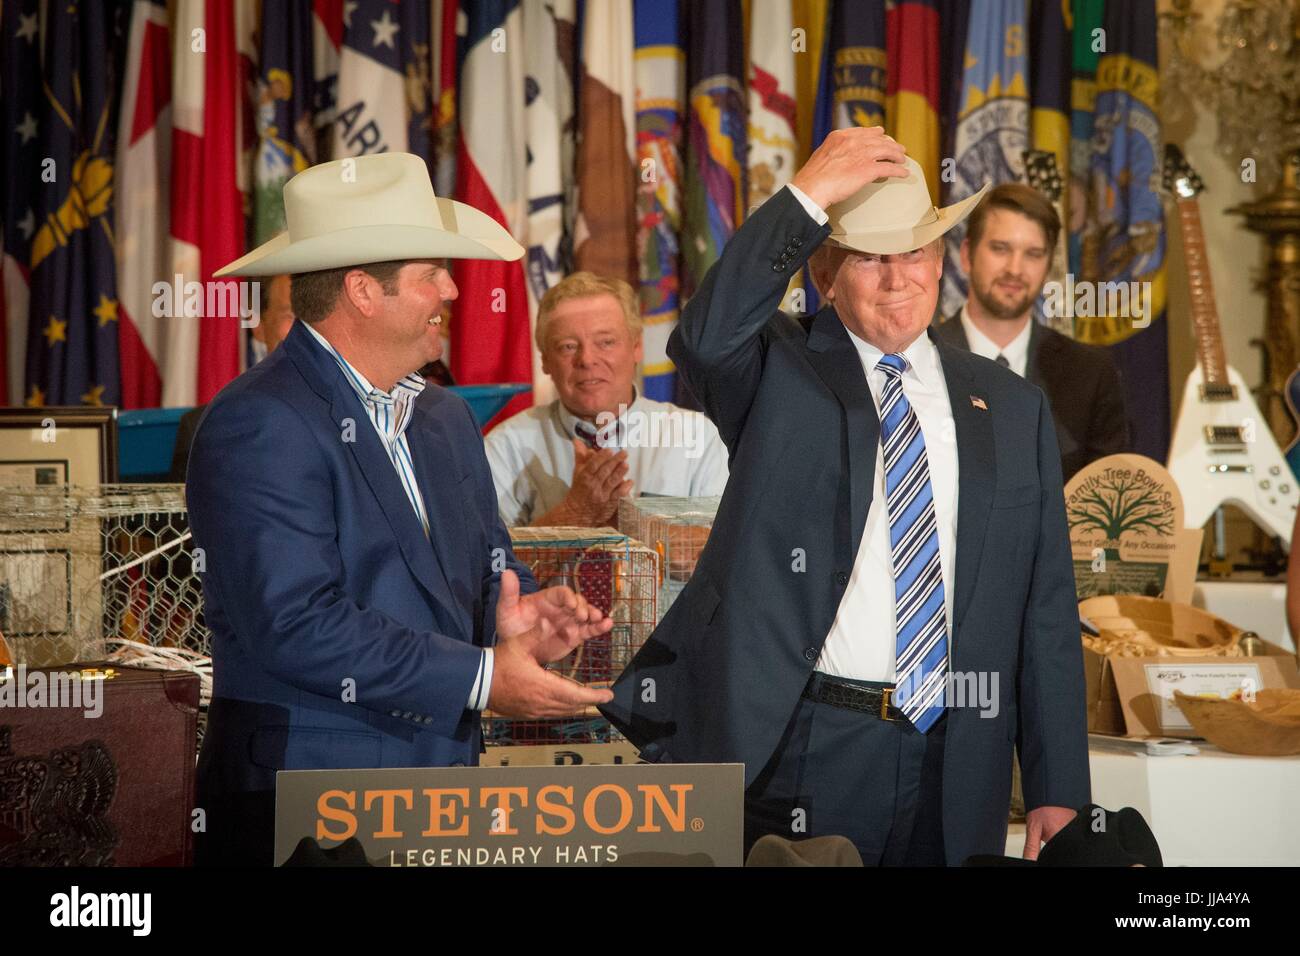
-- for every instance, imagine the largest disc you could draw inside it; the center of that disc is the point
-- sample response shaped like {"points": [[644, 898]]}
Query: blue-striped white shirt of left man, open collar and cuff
{"points": [[391, 414]]}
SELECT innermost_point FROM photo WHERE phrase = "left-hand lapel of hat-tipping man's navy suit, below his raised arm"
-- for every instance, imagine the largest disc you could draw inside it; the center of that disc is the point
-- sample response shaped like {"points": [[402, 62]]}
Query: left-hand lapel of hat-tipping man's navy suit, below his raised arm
{"points": [[838, 364]]}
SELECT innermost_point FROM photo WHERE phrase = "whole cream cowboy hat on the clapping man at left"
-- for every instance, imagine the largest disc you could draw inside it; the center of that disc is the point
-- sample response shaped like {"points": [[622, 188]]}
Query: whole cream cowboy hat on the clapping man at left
{"points": [[372, 210]]}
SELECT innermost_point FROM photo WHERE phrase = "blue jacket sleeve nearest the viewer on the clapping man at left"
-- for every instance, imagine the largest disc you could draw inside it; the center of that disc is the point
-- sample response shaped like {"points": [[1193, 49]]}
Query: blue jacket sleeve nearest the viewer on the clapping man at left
{"points": [[262, 508]]}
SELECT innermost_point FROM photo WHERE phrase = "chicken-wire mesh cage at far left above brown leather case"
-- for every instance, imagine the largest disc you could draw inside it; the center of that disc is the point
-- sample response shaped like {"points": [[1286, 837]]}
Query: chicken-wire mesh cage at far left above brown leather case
{"points": [[105, 573]]}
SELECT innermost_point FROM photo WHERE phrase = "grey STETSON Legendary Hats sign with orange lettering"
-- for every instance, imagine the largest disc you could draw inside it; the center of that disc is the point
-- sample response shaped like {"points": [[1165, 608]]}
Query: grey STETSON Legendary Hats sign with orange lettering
{"points": [[523, 816]]}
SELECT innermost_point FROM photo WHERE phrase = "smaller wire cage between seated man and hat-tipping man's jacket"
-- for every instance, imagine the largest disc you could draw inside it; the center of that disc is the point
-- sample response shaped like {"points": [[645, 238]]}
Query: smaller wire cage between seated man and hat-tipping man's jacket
{"points": [[677, 529]]}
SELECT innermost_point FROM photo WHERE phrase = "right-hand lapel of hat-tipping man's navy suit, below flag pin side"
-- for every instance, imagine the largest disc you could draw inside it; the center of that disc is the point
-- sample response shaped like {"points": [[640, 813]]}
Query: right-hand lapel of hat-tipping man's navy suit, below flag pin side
{"points": [[977, 470]]}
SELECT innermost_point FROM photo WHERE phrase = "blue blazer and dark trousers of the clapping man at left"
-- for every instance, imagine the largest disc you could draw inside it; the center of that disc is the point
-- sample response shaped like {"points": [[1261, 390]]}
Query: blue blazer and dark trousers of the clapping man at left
{"points": [[341, 635]]}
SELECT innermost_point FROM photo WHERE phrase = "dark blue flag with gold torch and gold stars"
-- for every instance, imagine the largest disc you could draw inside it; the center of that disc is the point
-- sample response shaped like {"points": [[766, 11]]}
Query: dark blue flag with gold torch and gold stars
{"points": [[72, 338]]}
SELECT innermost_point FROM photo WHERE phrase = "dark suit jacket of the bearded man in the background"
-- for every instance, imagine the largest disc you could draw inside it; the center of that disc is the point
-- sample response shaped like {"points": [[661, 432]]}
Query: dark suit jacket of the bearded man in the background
{"points": [[1084, 388]]}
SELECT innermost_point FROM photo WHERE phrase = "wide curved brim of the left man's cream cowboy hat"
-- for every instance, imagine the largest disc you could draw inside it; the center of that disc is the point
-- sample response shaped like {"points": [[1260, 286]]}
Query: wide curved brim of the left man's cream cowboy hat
{"points": [[473, 235]]}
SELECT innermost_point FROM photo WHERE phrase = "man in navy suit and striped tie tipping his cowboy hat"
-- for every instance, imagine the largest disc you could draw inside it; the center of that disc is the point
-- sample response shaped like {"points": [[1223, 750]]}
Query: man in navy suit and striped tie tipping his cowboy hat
{"points": [[886, 604]]}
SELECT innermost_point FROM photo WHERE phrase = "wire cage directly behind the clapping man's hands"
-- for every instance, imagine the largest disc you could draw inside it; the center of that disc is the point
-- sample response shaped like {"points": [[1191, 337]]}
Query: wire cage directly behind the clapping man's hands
{"points": [[614, 573]]}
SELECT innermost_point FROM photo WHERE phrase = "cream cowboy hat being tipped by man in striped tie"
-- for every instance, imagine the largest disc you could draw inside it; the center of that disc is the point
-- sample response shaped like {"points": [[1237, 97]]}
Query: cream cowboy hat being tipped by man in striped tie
{"points": [[895, 215]]}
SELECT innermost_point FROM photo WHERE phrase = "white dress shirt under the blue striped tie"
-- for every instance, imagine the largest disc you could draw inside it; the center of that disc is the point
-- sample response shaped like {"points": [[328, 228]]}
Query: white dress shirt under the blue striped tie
{"points": [[863, 641]]}
